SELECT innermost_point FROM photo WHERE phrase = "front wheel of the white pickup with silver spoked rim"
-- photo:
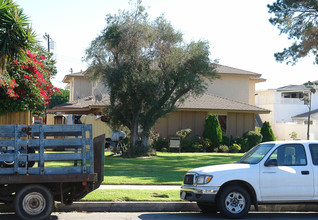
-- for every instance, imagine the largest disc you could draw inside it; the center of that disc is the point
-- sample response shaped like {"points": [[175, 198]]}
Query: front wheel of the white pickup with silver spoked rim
{"points": [[234, 201]]}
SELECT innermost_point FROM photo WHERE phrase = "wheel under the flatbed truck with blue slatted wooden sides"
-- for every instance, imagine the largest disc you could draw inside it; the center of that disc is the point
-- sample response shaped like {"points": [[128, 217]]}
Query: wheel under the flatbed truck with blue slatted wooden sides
{"points": [[33, 202]]}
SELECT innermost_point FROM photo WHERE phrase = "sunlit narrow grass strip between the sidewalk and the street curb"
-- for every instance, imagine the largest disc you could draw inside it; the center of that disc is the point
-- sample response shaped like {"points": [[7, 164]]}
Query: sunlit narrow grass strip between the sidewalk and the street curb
{"points": [[121, 195]]}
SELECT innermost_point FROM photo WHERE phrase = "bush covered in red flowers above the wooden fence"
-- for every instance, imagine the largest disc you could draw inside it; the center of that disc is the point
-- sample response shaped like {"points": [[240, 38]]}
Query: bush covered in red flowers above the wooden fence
{"points": [[26, 85]]}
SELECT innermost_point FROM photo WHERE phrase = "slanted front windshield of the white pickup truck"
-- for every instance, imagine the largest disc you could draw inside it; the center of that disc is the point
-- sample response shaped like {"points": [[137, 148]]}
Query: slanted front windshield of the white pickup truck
{"points": [[256, 154]]}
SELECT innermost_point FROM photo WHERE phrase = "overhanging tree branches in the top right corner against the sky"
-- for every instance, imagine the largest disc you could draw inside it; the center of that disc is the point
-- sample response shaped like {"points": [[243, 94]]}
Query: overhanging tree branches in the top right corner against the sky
{"points": [[298, 19]]}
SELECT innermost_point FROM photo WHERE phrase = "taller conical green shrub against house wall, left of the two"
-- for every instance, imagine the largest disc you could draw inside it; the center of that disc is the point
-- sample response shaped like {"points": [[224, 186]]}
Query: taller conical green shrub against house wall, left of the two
{"points": [[213, 131]]}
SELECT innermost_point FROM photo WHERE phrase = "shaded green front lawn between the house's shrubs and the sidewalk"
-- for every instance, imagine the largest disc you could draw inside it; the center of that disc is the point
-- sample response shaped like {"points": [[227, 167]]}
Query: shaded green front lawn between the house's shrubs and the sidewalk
{"points": [[165, 168]]}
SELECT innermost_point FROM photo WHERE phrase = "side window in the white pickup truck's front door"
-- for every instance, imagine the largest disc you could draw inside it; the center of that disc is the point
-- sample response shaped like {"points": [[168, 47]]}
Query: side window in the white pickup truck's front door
{"points": [[290, 155]]}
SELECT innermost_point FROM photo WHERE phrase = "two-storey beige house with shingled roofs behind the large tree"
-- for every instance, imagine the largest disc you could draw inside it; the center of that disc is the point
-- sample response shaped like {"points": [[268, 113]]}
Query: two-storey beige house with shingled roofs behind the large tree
{"points": [[231, 97]]}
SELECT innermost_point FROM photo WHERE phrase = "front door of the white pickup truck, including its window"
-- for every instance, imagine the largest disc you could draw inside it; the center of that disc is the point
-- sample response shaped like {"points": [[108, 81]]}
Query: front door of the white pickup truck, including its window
{"points": [[291, 178]]}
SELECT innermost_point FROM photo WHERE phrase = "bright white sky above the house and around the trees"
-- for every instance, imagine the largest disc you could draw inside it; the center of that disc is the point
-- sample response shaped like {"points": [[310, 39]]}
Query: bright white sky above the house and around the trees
{"points": [[239, 33]]}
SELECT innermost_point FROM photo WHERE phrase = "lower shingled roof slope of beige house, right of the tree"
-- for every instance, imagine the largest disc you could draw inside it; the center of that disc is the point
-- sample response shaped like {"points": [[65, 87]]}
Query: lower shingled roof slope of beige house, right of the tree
{"points": [[213, 102]]}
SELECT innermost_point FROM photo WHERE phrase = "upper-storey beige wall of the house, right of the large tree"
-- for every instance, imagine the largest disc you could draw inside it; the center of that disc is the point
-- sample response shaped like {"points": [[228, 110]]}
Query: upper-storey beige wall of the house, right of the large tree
{"points": [[234, 87]]}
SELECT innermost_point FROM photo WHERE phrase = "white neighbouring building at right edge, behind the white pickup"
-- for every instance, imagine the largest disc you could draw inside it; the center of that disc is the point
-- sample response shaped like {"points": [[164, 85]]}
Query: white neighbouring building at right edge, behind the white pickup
{"points": [[289, 112]]}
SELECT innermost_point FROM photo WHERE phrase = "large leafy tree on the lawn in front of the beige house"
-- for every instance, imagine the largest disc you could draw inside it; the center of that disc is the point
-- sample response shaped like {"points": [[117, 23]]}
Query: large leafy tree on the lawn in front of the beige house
{"points": [[148, 67]]}
